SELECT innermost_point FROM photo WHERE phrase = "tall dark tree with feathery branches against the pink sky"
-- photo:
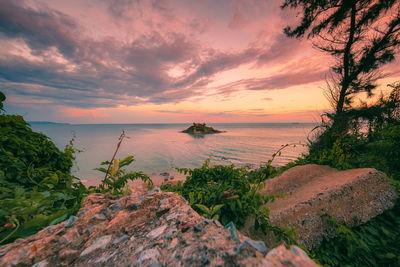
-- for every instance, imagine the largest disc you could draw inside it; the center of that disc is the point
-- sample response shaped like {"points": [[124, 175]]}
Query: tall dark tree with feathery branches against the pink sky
{"points": [[362, 35]]}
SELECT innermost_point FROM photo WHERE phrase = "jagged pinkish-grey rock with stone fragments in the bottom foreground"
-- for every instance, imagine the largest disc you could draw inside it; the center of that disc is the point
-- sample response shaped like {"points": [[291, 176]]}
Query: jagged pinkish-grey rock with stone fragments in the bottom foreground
{"points": [[144, 229]]}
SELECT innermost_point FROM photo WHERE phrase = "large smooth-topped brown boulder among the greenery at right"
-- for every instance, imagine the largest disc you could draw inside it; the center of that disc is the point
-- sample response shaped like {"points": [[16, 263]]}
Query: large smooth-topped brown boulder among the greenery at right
{"points": [[313, 191]]}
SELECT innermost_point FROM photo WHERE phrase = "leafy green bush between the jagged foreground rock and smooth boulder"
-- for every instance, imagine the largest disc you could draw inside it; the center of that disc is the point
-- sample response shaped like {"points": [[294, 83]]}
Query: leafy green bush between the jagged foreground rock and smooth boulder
{"points": [[226, 193]]}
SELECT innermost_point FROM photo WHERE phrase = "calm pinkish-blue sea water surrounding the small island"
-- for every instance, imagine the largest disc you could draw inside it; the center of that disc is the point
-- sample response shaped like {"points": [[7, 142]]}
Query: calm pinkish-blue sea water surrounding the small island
{"points": [[161, 147]]}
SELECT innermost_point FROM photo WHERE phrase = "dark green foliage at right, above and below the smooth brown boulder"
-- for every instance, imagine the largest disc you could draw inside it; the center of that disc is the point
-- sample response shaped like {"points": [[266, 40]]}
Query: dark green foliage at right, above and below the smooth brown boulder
{"points": [[371, 139]]}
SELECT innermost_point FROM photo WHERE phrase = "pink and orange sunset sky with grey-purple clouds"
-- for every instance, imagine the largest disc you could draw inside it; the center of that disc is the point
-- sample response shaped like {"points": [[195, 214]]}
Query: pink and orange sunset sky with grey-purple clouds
{"points": [[159, 61]]}
